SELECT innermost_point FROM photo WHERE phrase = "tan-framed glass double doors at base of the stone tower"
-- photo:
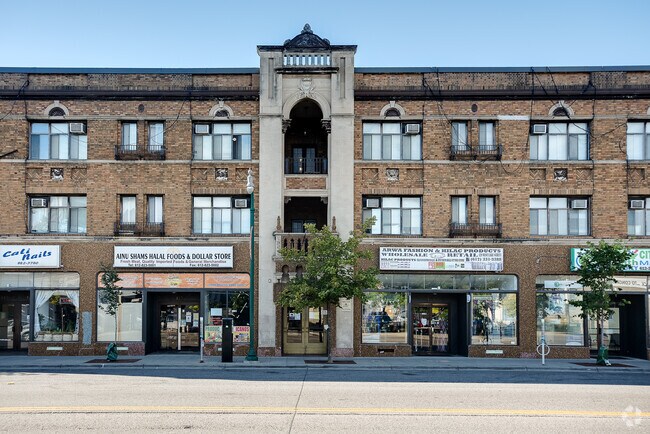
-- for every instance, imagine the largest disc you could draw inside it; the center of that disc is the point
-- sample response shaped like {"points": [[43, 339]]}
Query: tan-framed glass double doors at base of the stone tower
{"points": [[304, 331]]}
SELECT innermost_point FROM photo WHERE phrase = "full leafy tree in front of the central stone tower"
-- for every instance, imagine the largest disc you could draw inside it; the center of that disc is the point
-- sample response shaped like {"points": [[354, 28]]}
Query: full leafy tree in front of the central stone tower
{"points": [[331, 272]]}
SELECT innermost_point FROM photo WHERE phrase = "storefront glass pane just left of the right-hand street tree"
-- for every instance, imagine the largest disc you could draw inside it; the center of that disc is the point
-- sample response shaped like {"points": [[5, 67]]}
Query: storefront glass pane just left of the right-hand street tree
{"points": [[562, 323]]}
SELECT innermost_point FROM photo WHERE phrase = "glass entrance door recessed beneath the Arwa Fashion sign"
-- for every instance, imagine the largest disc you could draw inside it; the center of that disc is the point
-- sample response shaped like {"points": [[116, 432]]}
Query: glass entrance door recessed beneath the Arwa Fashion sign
{"points": [[430, 328]]}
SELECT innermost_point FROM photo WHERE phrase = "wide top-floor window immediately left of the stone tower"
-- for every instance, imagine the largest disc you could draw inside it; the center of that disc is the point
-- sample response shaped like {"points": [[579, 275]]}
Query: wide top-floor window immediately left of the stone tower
{"points": [[222, 141]]}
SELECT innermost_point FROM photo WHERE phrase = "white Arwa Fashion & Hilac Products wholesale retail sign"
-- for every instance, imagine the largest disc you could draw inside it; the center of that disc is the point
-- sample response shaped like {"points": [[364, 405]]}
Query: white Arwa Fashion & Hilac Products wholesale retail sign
{"points": [[441, 258]]}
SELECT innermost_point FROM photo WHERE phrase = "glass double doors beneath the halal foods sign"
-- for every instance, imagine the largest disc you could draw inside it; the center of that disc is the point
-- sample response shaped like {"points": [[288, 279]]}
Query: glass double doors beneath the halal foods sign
{"points": [[179, 327]]}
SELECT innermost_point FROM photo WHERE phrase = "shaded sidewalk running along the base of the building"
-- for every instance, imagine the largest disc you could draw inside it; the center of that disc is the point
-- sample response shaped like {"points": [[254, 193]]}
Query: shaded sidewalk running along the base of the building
{"points": [[192, 361]]}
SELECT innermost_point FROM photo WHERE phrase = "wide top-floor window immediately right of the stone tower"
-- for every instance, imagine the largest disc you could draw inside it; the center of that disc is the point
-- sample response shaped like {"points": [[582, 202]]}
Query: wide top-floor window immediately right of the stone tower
{"points": [[391, 141]]}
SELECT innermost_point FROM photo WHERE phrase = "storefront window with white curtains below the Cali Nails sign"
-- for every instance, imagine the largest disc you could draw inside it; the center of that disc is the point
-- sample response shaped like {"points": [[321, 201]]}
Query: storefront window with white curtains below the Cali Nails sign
{"points": [[57, 315]]}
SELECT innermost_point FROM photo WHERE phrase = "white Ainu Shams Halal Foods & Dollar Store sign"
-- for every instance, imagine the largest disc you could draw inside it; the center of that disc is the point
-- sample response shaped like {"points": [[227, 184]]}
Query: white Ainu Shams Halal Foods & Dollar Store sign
{"points": [[173, 257]]}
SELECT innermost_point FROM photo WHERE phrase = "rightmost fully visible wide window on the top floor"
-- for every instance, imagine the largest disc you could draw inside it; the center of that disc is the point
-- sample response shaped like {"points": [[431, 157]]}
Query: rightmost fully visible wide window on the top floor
{"points": [[559, 141]]}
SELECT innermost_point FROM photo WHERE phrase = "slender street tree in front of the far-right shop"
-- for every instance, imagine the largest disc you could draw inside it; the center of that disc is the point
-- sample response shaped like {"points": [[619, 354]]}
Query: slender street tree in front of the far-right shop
{"points": [[598, 264]]}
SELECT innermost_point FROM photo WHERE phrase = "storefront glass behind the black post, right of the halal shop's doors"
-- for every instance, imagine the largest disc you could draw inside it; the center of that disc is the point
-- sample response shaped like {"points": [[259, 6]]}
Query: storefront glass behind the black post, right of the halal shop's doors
{"points": [[226, 304]]}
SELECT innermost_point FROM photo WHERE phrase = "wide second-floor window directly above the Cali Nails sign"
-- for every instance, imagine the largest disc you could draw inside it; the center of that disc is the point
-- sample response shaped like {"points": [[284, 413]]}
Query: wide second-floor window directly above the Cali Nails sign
{"points": [[57, 214]]}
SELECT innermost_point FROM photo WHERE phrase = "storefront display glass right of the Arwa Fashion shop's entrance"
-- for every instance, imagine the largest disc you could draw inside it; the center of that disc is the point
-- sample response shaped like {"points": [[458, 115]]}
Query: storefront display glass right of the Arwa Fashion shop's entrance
{"points": [[494, 319]]}
